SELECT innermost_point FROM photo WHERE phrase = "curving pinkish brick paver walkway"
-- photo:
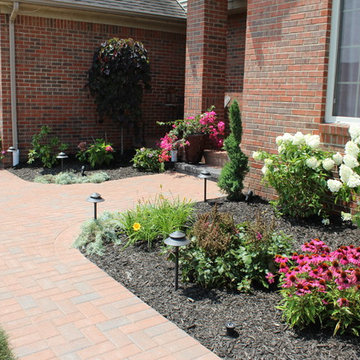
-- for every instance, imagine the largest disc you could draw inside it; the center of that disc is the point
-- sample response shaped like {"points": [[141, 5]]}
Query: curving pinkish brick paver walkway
{"points": [[54, 303]]}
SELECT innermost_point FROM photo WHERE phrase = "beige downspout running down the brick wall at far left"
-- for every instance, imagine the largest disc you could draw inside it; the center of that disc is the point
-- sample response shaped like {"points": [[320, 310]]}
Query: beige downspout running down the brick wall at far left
{"points": [[13, 75]]}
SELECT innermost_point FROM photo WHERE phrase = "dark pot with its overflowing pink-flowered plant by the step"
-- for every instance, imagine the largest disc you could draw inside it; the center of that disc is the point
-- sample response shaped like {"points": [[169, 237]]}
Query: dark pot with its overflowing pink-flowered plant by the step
{"points": [[190, 134]]}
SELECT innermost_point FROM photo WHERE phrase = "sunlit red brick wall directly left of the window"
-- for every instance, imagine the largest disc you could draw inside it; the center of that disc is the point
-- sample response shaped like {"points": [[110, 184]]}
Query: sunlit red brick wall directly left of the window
{"points": [[286, 61]]}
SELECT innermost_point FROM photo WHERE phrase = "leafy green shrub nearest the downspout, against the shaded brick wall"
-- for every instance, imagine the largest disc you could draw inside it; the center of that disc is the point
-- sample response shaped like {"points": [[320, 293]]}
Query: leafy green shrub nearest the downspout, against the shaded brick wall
{"points": [[44, 148]]}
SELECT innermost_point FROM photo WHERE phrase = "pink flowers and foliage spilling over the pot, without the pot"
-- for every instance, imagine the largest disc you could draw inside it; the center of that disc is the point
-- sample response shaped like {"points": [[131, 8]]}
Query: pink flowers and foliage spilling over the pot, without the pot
{"points": [[206, 124]]}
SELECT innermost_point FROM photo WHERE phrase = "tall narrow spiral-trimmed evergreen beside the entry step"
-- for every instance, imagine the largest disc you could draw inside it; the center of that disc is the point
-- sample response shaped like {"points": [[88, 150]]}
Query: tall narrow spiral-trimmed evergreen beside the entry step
{"points": [[233, 173]]}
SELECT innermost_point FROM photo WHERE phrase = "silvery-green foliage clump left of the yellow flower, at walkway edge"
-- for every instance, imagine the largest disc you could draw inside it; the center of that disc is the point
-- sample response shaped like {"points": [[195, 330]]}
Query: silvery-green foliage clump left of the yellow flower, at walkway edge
{"points": [[97, 233]]}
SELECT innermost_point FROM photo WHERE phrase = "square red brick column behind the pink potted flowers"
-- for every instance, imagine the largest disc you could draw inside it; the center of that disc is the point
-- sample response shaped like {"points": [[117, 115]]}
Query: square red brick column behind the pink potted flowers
{"points": [[205, 74]]}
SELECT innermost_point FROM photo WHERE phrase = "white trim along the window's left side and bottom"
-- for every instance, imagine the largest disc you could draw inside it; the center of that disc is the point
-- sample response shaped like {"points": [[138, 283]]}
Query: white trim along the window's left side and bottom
{"points": [[333, 55]]}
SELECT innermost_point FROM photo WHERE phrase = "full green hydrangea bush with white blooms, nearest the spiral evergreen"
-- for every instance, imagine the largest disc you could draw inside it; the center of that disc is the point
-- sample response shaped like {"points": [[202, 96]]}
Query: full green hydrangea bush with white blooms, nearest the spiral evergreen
{"points": [[299, 174]]}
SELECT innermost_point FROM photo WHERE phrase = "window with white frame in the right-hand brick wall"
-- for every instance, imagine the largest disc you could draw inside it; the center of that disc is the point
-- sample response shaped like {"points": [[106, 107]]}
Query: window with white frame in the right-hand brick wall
{"points": [[343, 97]]}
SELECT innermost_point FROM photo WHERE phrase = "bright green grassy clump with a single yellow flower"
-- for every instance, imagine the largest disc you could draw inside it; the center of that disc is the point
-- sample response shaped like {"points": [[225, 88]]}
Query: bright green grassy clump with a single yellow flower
{"points": [[155, 219]]}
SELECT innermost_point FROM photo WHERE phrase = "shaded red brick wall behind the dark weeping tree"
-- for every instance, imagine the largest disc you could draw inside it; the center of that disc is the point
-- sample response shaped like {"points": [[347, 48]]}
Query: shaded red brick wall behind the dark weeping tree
{"points": [[52, 59]]}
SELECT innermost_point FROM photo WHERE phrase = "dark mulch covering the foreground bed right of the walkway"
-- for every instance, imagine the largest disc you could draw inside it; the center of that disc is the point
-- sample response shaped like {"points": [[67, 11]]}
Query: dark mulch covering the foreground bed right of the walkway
{"points": [[203, 313]]}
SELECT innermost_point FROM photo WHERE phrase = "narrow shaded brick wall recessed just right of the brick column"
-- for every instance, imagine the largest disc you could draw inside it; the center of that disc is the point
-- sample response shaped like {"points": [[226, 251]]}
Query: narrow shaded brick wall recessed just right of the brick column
{"points": [[235, 59]]}
